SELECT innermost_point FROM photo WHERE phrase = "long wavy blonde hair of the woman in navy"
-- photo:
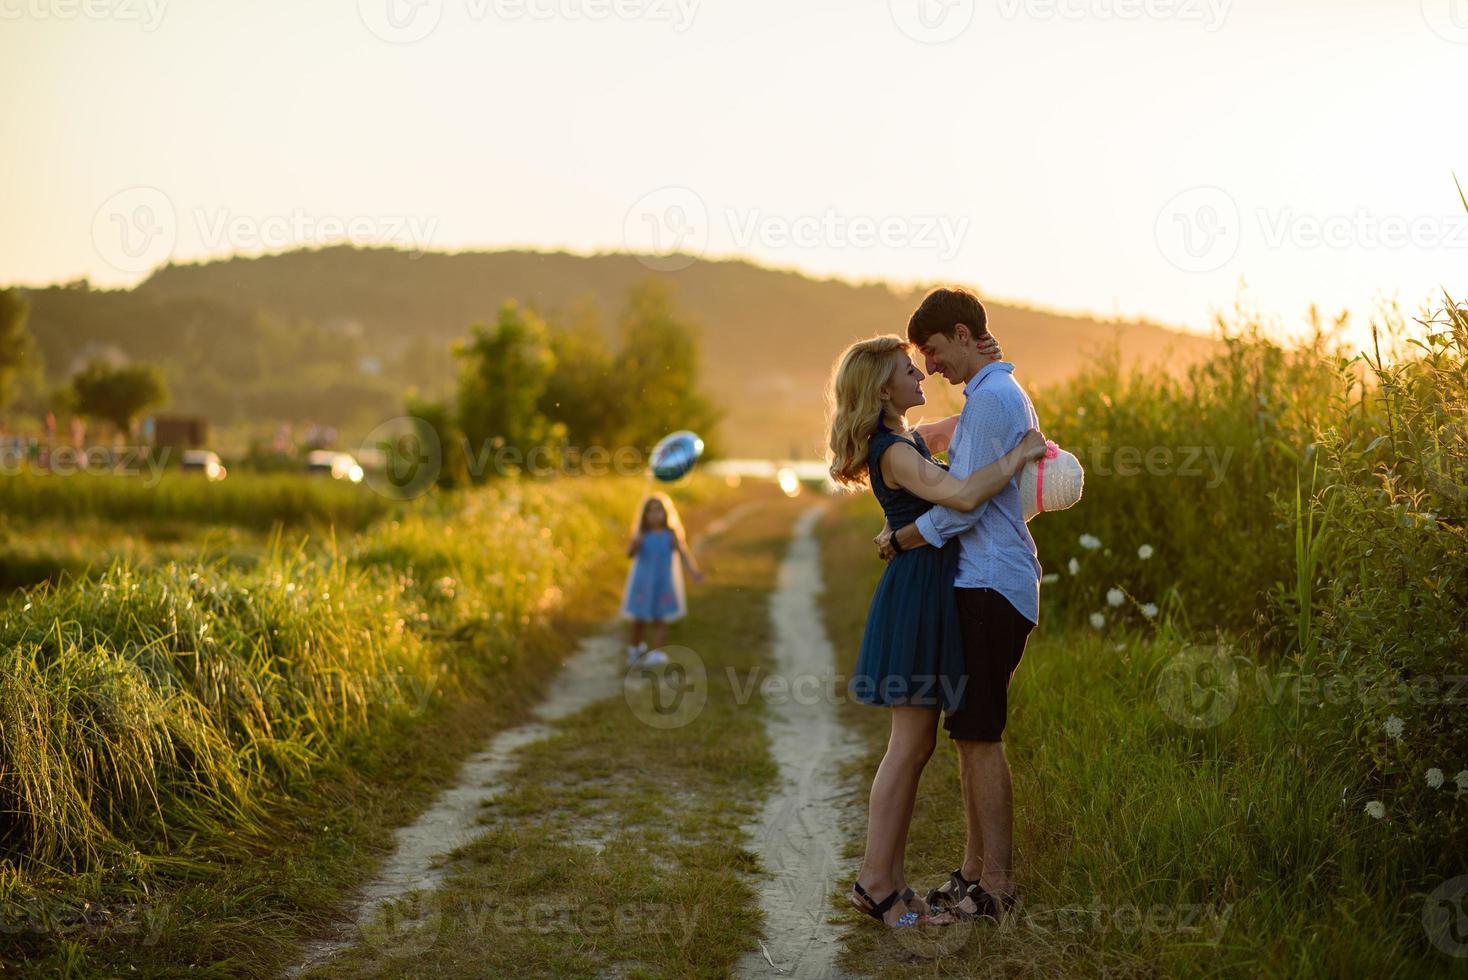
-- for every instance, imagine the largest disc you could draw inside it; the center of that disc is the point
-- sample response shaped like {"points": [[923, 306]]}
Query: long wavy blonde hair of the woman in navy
{"points": [[854, 406]]}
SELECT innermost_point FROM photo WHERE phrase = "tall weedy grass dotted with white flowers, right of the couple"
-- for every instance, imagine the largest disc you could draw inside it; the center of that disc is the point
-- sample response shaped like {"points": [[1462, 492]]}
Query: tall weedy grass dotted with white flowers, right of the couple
{"points": [[1329, 554]]}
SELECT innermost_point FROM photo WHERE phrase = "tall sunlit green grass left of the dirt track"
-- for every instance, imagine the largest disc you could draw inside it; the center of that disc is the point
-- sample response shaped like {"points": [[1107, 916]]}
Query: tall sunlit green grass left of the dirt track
{"points": [[155, 712]]}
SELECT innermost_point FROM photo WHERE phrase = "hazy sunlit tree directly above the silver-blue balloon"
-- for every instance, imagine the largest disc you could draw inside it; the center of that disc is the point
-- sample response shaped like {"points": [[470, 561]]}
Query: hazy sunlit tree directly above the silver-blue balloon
{"points": [[657, 369]]}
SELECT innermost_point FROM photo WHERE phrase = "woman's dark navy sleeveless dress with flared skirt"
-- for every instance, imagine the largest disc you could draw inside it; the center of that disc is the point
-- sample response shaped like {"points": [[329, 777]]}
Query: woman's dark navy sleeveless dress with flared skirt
{"points": [[912, 648]]}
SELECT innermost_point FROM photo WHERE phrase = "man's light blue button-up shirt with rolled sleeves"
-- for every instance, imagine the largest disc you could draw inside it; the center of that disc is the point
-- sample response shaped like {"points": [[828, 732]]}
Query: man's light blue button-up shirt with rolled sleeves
{"points": [[995, 545]]}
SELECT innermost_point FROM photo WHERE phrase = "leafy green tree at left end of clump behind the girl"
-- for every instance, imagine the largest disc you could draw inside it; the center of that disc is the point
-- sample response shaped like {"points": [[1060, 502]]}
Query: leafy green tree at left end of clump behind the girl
{"points": [[504, 372]]}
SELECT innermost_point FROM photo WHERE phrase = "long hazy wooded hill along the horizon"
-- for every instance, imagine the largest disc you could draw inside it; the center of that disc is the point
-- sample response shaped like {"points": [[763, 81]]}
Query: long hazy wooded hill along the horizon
{"points": [[337, 334]]}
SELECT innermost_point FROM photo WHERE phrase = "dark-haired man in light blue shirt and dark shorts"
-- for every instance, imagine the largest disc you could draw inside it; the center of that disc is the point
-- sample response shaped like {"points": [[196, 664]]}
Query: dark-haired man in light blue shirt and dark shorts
{"points": [[998, 590]]}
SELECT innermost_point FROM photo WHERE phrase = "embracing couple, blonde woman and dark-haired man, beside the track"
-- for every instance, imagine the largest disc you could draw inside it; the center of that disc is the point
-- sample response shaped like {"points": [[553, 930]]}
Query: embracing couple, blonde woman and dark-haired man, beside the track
{"points": [[961, 595]]}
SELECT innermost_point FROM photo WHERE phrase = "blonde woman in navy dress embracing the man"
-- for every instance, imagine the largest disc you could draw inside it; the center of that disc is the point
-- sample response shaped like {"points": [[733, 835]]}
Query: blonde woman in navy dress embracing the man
{"points": [[912, 657]]}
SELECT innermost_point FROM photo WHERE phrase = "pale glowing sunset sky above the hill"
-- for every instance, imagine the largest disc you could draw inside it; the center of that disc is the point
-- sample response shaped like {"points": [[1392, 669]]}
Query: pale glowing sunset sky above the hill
{"points": [[1155, 159]]}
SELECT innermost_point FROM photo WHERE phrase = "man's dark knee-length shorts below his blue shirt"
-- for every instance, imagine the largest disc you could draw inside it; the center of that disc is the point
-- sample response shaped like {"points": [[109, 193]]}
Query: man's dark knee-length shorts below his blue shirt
{"points": [[995, 636]]}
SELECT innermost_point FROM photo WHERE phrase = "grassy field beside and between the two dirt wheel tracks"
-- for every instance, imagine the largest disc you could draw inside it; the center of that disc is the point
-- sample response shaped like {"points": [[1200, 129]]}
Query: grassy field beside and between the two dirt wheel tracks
{"points": [[1237, 737]]}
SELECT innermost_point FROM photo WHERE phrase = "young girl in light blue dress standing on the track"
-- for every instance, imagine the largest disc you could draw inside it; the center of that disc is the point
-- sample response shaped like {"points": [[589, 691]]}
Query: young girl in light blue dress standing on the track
{"points": [[655, 582]]}
